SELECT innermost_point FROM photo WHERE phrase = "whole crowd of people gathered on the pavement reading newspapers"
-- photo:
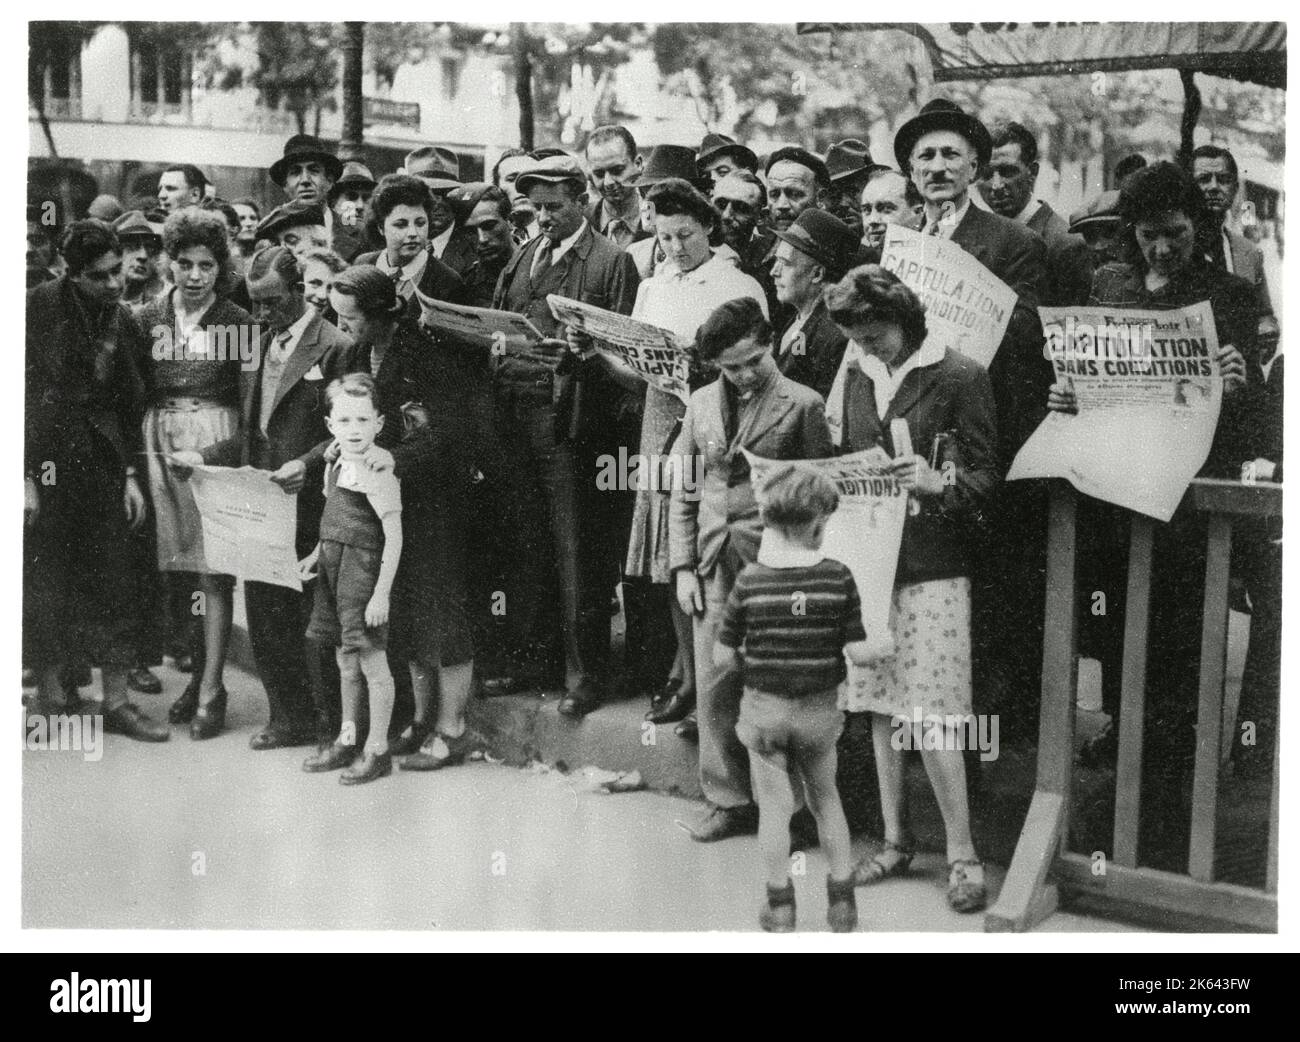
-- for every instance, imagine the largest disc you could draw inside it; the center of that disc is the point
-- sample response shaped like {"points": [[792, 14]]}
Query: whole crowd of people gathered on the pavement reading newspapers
{"points": [[452, 532]]}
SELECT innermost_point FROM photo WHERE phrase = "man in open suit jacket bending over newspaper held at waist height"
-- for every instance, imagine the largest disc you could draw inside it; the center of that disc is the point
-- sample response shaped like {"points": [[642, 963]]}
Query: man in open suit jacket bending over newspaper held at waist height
{"points": [[284, 432]]}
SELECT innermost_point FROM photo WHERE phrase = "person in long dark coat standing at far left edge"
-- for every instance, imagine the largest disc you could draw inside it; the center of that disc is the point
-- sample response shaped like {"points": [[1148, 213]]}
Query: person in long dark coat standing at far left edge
{"points": [[84, 403]]}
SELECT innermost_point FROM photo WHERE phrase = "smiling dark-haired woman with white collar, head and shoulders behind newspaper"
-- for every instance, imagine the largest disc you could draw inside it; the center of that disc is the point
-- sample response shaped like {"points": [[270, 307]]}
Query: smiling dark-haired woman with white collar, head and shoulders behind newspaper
{"points": [[401, 211]]}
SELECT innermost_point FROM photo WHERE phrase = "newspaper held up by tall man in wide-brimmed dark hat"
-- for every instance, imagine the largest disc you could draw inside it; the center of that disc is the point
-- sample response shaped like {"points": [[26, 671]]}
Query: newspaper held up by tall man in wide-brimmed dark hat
{"points": [[968, 307]]}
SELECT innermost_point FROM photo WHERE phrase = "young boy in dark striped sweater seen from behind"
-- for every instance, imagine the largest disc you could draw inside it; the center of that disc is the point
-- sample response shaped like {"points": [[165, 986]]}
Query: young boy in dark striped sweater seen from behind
{"points": [[796, 614]]}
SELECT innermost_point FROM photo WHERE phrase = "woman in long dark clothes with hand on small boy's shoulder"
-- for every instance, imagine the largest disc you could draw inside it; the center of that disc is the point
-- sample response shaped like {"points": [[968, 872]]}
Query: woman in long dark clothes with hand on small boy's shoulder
{"points": [[428, 440]]}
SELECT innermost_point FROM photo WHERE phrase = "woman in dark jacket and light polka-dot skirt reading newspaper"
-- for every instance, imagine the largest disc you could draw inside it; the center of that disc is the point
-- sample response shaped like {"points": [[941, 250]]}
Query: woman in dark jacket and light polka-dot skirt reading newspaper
{"points": [[947, 402]]}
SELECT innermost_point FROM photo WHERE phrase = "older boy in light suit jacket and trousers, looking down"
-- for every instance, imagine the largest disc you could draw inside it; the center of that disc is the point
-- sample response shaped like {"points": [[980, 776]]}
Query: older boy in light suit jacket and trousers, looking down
{"points": [[716, 528]]}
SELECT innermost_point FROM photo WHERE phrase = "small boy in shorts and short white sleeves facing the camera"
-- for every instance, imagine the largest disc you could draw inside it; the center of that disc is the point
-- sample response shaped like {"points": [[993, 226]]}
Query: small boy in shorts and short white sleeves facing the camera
{"points": [[358, 554]]}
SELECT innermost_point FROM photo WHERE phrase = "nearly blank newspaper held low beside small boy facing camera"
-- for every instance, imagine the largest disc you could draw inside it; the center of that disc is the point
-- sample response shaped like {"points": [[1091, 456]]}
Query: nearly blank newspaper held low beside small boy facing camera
{"points": [[249, 524]]}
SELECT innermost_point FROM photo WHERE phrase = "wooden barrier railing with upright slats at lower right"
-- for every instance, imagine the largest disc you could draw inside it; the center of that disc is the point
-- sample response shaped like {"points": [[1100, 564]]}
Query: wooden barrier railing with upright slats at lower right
{"points": [[1043, 867]]}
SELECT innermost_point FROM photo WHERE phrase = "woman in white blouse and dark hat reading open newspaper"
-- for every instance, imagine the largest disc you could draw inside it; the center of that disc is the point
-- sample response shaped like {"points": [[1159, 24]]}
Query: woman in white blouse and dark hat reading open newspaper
{"points": [[691, 281]]}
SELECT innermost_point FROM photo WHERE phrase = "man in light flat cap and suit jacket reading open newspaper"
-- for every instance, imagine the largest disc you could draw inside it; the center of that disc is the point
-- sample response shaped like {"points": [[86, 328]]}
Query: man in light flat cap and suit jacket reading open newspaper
{"points": [[560, 414]]}
